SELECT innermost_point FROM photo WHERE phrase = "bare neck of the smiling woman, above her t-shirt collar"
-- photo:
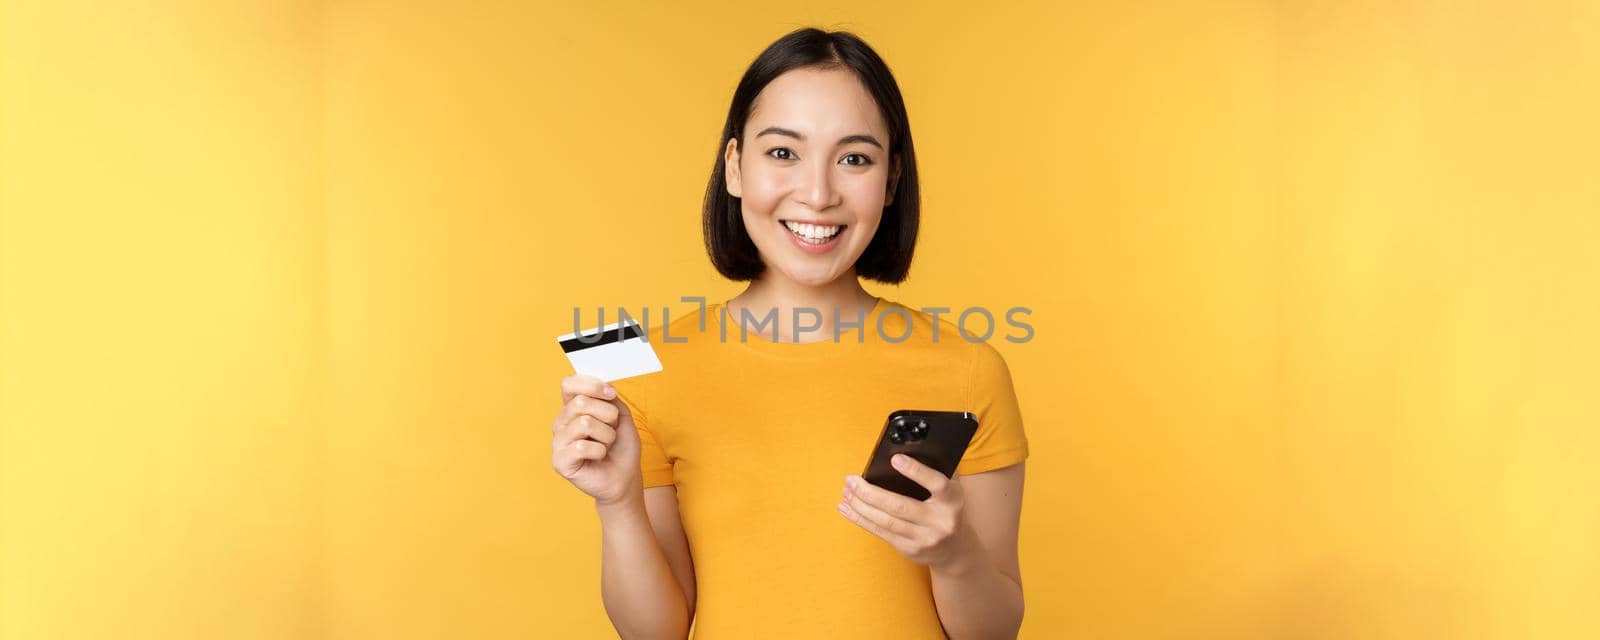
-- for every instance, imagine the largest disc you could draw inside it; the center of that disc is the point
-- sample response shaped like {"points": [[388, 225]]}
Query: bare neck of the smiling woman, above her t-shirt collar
{"points": [[770, 292]]}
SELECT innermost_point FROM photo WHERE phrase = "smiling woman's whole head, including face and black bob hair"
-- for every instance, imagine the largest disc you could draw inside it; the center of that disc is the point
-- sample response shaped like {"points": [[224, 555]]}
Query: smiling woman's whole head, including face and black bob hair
{"points": [[831, 148]]}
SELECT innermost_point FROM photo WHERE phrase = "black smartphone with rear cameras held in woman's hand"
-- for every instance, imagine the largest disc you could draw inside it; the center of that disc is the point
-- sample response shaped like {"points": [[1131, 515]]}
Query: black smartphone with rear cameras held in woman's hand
{"points": [[937, 439]]}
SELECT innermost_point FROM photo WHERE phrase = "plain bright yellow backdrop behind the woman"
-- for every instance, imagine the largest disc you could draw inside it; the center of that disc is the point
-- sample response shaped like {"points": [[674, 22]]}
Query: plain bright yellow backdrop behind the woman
{"points": [[1316, 290]]}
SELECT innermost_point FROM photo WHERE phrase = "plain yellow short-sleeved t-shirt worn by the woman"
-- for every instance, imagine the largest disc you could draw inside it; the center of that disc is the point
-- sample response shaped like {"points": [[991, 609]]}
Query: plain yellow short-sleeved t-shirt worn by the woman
{"points": [[759, 436]]}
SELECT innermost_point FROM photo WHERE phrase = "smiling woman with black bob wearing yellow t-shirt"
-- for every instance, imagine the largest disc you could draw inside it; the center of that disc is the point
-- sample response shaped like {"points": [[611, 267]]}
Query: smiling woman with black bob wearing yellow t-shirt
{"points": [[727, 486]]}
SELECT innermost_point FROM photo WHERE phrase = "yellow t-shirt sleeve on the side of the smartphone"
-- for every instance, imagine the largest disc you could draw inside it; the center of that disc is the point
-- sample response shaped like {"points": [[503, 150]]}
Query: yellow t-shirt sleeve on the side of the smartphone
{"points": [[999, 441]]}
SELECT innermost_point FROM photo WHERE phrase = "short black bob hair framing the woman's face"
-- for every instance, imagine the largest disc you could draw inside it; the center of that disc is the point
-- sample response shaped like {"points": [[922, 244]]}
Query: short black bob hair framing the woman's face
{"points": [[887, 258]]}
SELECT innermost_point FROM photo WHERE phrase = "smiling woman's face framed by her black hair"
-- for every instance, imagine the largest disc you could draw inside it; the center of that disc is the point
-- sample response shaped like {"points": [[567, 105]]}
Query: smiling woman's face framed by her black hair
{"points": [[815, 174]]}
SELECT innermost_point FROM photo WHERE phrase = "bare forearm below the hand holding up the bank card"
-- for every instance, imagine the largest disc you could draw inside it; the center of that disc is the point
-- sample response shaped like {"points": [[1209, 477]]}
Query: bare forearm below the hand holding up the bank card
{"points": [[647, 578]]}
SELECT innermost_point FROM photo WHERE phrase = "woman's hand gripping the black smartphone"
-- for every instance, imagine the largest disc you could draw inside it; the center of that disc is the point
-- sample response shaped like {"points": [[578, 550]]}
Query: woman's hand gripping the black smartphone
{"points": [[930, 532]]}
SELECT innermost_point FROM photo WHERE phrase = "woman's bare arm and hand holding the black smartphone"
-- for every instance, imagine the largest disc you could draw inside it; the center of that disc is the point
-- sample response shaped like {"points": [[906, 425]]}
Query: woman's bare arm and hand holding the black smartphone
{"points": [[966, 534]]}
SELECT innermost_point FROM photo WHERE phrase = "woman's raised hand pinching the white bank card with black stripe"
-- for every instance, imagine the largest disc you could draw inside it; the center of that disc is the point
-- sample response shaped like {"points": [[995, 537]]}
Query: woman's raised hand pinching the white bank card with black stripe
{"points": [[596, 446]]}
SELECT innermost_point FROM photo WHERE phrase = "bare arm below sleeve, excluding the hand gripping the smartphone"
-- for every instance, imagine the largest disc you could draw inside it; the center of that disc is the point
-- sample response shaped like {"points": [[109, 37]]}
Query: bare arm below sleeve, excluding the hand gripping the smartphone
{"points": [[980, 591]]}
